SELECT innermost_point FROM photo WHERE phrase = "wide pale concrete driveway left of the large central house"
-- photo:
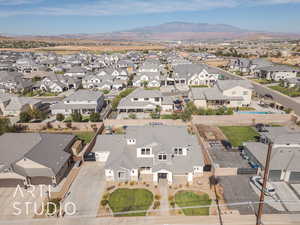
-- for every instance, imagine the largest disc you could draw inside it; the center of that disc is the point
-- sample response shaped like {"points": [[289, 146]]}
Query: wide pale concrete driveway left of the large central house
{"points": [[87, 189]]}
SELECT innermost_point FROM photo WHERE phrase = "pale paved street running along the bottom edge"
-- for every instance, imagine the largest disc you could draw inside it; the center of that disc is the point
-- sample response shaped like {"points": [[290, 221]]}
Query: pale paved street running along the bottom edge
{"points": [[178, 220]]}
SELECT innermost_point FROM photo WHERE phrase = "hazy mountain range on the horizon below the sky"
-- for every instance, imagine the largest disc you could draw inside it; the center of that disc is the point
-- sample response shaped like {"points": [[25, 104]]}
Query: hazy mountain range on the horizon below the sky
{"points": [[175, 31]]}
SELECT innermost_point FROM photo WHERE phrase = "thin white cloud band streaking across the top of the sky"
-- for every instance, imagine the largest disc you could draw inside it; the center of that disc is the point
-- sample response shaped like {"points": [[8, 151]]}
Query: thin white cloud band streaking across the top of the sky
{"points": [[126, 7]]}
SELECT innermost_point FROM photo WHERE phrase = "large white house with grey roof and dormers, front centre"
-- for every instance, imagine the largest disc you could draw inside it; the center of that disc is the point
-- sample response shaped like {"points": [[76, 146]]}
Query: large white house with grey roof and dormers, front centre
{"points": [[151, 154]]}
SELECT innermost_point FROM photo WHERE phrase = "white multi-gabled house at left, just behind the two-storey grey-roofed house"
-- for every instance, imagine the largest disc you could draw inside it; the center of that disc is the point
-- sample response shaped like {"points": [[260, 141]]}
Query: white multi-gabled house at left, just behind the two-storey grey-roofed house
{"points": [[59, 83]]}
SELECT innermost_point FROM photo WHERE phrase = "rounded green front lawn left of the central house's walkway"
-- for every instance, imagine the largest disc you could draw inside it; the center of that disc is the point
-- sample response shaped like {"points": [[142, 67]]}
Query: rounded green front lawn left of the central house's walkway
{"points": [[125, 200]]}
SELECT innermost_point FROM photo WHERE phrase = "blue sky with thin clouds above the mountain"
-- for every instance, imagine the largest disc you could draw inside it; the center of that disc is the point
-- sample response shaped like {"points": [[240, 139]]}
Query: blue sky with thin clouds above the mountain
{"points": [[48, 17]]}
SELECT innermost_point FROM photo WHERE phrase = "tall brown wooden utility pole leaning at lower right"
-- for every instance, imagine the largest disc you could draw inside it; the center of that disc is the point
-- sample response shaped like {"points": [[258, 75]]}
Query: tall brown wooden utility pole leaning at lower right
{"points": [[262, 194]]}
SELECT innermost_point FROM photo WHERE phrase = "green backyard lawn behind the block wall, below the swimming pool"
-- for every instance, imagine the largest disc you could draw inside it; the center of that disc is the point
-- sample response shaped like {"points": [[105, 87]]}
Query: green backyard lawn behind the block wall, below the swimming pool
{"points": [[239, 134]]}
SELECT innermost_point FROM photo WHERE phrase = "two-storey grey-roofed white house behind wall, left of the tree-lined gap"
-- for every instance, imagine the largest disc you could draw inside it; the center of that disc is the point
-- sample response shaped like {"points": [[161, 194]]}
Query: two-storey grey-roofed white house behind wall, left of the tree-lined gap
{"points": [[82, 101]]}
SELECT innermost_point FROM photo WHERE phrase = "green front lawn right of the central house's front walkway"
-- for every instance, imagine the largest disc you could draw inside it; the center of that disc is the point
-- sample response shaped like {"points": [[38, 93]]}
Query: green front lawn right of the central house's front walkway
{"points": [[189, 198]]}
